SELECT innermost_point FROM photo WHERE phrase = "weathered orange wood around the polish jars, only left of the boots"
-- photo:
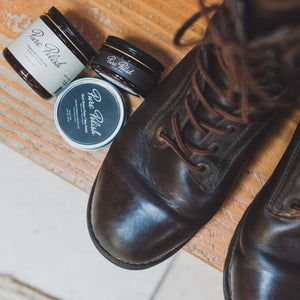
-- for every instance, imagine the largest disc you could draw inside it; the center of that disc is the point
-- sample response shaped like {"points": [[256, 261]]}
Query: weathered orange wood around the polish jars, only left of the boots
{"points": [[26, 121]]}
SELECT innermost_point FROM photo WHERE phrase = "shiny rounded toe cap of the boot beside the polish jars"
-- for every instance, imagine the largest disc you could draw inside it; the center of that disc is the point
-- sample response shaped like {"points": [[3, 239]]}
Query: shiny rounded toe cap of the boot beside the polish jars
{"points": [[129, 223]]}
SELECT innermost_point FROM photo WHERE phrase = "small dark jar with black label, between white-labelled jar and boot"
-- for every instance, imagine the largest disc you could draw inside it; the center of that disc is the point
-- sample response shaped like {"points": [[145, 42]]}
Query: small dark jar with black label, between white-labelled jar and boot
{"points": [[127, 66]]}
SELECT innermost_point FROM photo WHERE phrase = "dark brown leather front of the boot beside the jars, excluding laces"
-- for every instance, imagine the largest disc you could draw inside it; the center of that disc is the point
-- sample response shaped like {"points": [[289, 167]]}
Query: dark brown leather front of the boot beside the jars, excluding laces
{"points": [[146, 203]]}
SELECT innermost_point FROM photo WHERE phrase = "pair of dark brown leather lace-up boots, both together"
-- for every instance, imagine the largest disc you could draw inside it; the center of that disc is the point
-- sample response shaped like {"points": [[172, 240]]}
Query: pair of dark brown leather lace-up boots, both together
{"points": [[170, 168]]}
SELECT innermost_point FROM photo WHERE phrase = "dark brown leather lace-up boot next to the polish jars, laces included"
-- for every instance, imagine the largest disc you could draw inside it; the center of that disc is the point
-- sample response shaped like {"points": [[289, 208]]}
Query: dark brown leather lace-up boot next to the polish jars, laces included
{"points": [[169, 170]]}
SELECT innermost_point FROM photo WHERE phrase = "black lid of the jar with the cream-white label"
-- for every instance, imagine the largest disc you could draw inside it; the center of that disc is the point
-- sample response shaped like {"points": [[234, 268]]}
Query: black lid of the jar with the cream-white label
{"points": [[70, 32]]}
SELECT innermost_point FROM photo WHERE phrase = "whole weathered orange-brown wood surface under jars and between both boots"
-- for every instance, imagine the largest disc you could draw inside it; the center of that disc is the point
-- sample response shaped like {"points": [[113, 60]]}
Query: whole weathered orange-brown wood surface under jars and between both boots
{"points": [[26, 122]]}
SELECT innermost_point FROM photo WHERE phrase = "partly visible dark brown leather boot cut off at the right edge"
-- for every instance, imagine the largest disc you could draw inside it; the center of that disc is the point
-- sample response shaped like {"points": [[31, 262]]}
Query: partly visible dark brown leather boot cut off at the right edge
{"points": [[263, 261]]}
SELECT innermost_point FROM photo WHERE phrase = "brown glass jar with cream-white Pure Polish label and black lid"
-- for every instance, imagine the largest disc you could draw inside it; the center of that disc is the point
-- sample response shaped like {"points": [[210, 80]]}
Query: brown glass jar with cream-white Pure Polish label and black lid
{"points": [[49, 54]]}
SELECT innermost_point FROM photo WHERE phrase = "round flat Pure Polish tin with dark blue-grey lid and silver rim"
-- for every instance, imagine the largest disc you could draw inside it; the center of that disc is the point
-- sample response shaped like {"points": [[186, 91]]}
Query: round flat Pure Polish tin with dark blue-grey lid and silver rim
{"points": [[89, 113]]}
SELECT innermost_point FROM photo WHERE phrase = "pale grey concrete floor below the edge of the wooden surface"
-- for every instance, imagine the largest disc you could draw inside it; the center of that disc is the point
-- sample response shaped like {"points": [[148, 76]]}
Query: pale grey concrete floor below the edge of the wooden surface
{"points": [[45, 244]]}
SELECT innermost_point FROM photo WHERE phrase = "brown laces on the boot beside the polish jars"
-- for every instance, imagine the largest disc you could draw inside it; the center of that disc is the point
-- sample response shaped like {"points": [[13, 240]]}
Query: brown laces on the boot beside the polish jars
{"points": [[246, 66]]}
